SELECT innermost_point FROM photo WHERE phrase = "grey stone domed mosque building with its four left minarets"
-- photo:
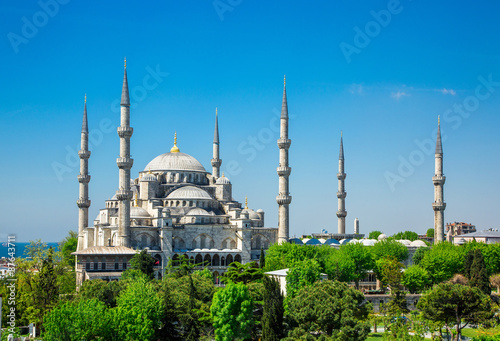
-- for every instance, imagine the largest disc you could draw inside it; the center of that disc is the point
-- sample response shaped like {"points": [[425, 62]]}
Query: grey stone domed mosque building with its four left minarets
{"points": [[174, 208]]}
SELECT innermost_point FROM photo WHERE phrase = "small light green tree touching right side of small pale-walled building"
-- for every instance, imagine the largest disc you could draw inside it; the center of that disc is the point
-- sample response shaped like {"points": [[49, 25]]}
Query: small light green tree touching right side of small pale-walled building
{"points": [[301, 274]]}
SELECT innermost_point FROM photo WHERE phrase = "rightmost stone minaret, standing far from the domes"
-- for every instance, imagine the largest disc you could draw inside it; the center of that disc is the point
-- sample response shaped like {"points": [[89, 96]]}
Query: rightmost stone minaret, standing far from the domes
{"points": [[438, 179]]}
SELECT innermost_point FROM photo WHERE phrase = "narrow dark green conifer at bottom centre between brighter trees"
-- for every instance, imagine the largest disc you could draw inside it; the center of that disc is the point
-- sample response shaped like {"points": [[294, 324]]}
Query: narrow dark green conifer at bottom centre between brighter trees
{"points": [[272, 317]]}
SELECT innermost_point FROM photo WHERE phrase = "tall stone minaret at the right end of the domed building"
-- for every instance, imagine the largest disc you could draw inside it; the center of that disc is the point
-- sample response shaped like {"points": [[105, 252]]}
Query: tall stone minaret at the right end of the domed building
{"points": [[283, 198]]}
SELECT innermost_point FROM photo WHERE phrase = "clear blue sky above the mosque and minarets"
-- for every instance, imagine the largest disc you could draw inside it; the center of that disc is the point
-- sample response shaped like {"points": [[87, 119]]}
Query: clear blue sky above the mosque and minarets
{"points": [[380, 71]]}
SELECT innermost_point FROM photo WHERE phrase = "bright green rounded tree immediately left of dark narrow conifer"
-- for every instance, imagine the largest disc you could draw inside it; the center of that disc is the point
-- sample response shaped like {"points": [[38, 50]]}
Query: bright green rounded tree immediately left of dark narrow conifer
{"points": [[231, 313]]}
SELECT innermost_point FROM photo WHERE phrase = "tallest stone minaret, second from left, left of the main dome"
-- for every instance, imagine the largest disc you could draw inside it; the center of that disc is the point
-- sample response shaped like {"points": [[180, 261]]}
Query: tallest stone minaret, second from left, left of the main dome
{"points": [[124, 162]]}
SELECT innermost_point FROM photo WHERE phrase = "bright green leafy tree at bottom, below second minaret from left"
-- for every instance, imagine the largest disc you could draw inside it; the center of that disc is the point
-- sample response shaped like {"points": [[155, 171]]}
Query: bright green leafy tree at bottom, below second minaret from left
{"points": [[139, 312]]}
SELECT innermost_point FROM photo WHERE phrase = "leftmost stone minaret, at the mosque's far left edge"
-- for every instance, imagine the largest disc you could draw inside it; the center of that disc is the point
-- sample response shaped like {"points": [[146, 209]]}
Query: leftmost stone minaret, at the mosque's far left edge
{"points": [[83, 201]]}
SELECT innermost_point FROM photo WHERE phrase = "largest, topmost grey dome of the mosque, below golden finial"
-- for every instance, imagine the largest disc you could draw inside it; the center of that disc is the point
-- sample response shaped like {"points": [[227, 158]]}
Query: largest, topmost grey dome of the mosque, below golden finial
{"points": [[176, 161]]}
